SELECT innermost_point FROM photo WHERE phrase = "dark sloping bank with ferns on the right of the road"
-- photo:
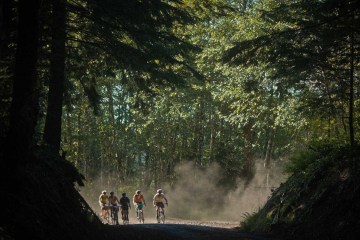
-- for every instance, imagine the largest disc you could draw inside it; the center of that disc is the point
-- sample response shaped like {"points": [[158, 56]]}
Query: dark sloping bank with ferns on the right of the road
{"points": [[314, 202]]}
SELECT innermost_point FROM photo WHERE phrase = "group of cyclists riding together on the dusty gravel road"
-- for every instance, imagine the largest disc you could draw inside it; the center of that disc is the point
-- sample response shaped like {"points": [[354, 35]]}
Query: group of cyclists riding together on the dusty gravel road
{"points": [[113, 202]]}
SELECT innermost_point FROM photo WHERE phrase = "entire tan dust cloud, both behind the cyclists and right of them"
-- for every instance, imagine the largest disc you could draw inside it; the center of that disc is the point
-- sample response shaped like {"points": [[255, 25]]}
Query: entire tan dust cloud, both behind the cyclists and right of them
{"points": [[197, 194]]}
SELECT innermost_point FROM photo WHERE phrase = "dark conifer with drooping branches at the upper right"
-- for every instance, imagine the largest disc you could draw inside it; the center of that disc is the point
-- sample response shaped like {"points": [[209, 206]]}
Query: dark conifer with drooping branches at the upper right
{"points": [[307, 42]]}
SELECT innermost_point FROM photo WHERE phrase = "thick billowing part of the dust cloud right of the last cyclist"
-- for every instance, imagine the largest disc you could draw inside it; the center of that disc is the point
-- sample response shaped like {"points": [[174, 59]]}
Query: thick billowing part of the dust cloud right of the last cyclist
{"points": [[197, 194]]}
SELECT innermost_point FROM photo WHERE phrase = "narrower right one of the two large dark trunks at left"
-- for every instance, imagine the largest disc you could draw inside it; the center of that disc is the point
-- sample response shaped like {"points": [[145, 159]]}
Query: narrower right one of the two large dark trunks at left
{"points": [[52, 132]]}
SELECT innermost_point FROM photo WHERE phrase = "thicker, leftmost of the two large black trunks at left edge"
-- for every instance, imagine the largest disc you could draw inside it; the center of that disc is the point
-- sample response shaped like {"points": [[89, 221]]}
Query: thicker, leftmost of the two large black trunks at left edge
{"points": [[25, 97]]}
